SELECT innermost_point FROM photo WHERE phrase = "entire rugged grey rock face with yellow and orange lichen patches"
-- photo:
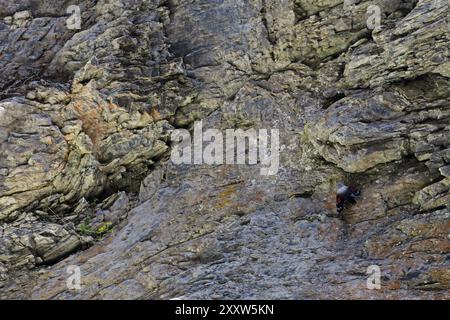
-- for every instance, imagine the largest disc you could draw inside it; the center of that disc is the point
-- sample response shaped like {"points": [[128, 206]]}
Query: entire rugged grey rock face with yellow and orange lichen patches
{"points": [[359, 91]]}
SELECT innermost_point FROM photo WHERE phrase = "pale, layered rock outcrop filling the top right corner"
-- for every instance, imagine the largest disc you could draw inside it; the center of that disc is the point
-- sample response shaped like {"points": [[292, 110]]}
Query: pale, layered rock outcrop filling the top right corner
{"points": [[418, 45]]}
